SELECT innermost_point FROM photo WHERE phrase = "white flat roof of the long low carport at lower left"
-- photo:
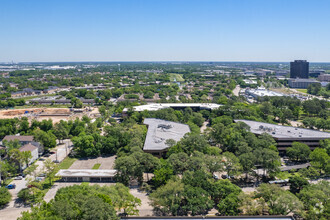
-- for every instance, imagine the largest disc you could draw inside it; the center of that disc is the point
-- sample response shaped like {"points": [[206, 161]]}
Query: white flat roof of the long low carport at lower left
{"points": [[86, 173]]}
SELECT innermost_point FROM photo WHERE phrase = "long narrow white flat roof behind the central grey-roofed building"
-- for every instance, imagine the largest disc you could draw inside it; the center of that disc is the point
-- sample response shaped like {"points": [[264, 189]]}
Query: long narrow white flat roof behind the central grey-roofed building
{"points": [[158, 106]]}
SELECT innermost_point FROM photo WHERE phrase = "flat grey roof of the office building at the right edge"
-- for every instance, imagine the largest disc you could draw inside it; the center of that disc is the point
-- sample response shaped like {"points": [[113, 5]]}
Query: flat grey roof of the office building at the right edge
{"points": [[285, 132]]}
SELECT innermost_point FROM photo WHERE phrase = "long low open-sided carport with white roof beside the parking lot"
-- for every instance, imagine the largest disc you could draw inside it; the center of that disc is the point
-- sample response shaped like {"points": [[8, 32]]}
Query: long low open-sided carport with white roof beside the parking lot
{"points": [[86, 175]]}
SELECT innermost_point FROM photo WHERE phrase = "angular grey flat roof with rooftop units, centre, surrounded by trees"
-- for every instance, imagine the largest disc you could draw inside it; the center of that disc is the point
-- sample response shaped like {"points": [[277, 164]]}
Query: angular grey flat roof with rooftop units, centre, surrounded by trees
{"points": [[161, 130]]}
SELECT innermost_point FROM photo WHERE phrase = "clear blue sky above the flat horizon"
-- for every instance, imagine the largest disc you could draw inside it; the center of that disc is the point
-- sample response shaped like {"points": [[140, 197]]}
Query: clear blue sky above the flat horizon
{"points": [[164, 30]]}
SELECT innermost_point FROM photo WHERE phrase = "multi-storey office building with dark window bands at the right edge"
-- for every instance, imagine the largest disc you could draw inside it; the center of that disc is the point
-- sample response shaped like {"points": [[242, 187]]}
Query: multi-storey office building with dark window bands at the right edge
{"points": [[285, 135]]}
